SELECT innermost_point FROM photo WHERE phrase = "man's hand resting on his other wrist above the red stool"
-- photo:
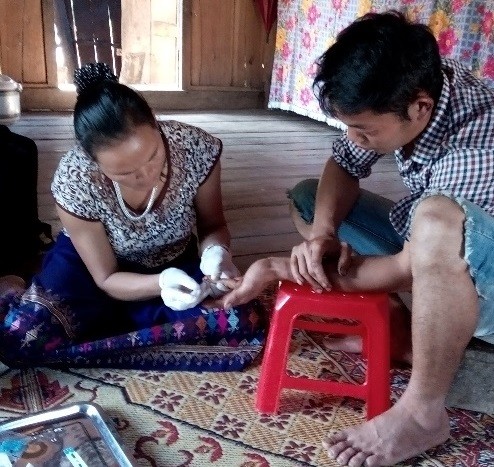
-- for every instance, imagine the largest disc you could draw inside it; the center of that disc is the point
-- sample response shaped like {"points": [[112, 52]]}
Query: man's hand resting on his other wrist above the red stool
{"points": [[306, 262]]}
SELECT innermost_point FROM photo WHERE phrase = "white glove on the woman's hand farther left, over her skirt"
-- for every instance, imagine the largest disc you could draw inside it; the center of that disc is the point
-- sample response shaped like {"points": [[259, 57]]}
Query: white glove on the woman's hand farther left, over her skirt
{"points": [[179, 291]]}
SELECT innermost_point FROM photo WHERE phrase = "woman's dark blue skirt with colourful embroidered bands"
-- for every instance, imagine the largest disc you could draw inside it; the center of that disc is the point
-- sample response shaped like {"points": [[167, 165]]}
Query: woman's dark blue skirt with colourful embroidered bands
{"points": [[64, 320]]}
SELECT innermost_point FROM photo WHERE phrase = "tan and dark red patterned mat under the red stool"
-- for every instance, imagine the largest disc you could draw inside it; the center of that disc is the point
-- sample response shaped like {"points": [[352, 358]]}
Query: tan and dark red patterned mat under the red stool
{"points": [[197, 419]]}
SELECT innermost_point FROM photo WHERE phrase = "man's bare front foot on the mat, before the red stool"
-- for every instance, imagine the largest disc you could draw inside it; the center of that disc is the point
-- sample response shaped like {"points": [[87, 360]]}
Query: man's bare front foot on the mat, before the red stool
{"points": [[404, 431]]}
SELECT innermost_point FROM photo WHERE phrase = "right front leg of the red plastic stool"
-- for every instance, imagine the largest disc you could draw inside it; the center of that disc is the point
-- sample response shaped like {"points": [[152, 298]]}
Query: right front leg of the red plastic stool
{"points": [[378, 364]]}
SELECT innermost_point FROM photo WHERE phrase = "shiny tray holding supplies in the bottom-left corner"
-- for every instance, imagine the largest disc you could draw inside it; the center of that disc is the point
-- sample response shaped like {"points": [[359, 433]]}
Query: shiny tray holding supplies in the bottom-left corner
{"points": [[76, 435]]}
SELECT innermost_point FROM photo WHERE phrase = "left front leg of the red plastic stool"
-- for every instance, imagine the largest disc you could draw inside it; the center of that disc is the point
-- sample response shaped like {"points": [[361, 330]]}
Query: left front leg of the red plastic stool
{"points": [[273, 369]]}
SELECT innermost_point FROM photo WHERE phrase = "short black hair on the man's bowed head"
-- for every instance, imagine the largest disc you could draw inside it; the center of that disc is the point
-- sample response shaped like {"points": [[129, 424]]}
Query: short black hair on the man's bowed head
{"points": [[379, 63]]}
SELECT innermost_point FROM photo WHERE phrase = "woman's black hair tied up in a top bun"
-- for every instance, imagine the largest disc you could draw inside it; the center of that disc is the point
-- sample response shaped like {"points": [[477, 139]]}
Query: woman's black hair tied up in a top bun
{"points": [[106, 110]]}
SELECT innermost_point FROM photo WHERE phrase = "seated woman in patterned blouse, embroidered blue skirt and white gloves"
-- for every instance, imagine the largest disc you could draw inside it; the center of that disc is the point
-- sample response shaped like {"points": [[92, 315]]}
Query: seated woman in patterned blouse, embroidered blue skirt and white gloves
{"points": [[123, 284]]}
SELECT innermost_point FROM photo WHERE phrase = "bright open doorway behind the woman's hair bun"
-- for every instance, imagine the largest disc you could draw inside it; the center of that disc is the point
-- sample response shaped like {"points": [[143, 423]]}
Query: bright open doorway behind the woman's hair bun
{"points": [[141, 40]]}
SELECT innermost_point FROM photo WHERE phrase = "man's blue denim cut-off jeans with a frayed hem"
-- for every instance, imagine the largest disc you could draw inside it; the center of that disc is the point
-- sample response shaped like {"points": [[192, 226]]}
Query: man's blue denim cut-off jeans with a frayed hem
{"points": [[368, 230]]}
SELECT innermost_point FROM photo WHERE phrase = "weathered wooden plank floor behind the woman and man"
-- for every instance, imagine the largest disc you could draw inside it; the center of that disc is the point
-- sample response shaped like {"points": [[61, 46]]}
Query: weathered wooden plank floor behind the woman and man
{"points": [[265, 153]]}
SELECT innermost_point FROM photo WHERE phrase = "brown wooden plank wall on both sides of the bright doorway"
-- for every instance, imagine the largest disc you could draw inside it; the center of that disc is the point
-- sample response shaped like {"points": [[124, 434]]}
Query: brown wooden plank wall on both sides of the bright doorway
{"points": [[227, 61]]}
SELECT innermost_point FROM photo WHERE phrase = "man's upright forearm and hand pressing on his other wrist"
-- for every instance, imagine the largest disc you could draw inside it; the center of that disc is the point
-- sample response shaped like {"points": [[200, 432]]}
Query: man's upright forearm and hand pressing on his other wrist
{"points": [[337, 192]]}
